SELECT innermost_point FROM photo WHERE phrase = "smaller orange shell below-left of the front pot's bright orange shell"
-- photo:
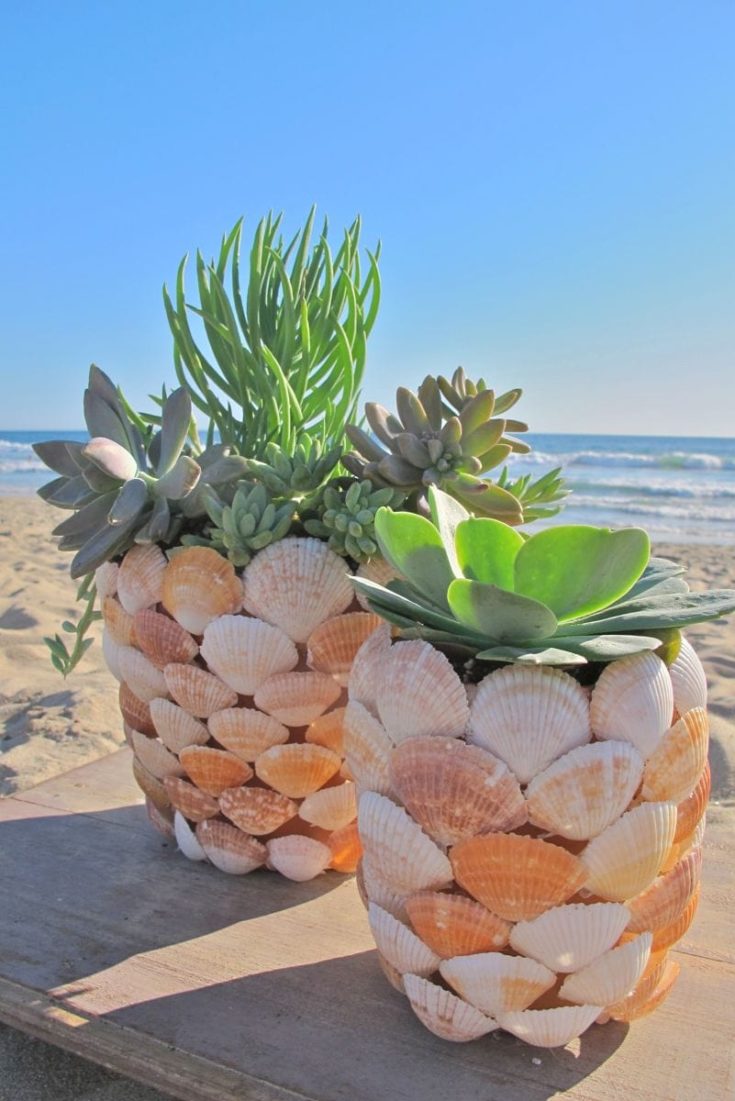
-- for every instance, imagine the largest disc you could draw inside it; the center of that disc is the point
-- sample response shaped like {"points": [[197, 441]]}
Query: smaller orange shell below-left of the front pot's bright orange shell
{"points": [[454, 925]]}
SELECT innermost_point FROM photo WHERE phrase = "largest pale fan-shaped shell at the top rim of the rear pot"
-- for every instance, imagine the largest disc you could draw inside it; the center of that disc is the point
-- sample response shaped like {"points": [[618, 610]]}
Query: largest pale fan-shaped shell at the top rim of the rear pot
{"points": [[297, 584]]}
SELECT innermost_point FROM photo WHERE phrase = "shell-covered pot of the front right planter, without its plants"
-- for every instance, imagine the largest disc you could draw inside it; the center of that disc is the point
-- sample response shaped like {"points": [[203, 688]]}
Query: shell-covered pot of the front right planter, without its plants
{"points": [[532, 848]]}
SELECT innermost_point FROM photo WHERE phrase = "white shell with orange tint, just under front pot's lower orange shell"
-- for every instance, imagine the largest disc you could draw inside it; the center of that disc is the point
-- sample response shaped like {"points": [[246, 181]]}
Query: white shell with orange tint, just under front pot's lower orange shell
{"points": [[496, 984]]}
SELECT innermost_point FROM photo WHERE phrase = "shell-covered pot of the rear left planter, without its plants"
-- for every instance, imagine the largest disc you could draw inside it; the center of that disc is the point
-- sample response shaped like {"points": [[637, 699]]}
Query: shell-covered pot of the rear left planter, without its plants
{"points": [[233, 695]]}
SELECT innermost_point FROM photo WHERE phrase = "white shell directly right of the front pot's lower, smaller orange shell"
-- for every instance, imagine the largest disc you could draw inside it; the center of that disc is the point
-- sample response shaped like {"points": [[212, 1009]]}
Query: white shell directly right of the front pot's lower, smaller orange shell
{"points": [[568, 939]]}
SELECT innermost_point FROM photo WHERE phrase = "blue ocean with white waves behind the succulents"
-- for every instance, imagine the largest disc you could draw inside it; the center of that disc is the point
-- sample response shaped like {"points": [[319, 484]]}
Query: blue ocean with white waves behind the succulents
{"points": [[681, 489]]}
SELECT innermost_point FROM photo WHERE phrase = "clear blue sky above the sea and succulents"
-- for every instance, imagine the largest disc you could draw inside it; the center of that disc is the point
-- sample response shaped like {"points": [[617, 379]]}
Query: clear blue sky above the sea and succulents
{"points": [[553, 183]]}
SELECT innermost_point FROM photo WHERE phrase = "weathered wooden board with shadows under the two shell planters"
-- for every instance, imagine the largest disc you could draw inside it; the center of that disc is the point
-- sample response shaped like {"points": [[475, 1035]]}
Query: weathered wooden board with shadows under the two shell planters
{"points": [[215, 988]]}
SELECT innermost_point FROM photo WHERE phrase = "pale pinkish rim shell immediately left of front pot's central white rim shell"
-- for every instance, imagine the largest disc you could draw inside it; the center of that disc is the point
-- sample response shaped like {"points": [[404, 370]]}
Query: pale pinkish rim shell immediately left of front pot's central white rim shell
{"points": [[421, 694]]}
